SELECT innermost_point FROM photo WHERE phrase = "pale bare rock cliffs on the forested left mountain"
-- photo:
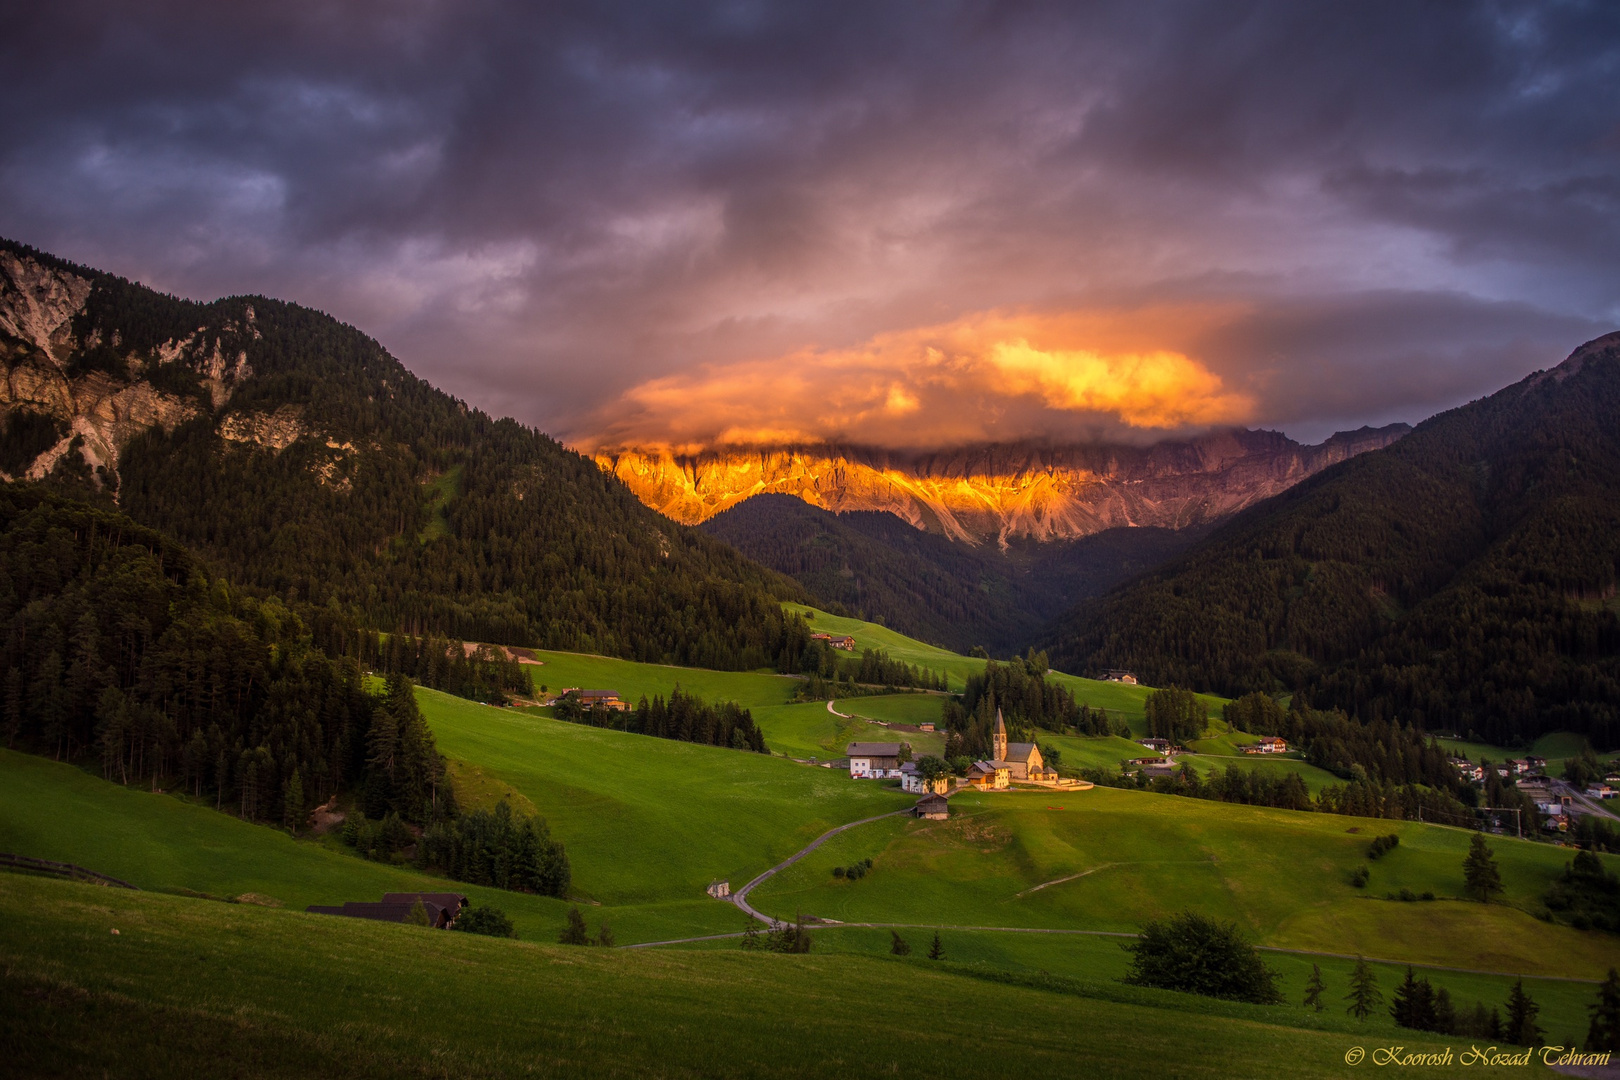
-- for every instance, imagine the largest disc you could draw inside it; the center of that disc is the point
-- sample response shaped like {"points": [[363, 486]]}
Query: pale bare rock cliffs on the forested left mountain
{"points": [[83, 399]]}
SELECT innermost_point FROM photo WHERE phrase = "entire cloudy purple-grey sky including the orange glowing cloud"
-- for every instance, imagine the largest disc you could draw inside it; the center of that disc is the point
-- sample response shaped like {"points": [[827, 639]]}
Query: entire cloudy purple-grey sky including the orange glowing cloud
{"points": [[895, 224]]}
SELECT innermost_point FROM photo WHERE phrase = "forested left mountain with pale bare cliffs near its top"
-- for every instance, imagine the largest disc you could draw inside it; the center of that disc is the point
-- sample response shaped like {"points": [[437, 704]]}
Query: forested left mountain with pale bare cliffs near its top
{"points": [[297, 456]]}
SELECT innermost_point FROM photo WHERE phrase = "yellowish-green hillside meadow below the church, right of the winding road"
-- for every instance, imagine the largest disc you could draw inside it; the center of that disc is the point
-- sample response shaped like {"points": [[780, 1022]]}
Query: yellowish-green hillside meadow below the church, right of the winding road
{"points": [[1111, 861]]}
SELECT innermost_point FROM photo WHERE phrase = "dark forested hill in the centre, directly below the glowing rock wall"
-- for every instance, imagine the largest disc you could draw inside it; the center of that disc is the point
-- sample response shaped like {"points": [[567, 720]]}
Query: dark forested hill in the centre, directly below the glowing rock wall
{"points": [[877, 566]]}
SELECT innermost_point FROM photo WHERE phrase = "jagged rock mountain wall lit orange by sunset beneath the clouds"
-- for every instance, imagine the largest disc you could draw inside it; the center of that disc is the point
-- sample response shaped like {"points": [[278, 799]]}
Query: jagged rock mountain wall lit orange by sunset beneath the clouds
{"points": [[997, 493]]}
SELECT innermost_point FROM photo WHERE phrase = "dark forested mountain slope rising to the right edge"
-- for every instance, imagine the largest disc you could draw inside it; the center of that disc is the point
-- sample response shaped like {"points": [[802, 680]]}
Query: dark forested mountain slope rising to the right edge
{"points": [[1462, 579]]}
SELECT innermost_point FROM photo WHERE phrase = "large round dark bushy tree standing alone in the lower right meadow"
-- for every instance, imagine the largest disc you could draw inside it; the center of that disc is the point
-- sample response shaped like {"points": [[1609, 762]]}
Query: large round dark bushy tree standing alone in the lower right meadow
{"points": [[1201, 956]]}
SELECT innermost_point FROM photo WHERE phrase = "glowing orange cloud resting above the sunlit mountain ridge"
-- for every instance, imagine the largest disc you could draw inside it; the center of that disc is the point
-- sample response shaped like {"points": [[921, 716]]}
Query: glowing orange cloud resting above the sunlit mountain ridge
{"points": [[986, 378]]}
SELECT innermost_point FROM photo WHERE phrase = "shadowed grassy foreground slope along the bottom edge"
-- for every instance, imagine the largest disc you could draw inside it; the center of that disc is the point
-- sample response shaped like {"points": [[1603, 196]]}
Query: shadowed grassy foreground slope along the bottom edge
{"points": [[220, 990]]}
